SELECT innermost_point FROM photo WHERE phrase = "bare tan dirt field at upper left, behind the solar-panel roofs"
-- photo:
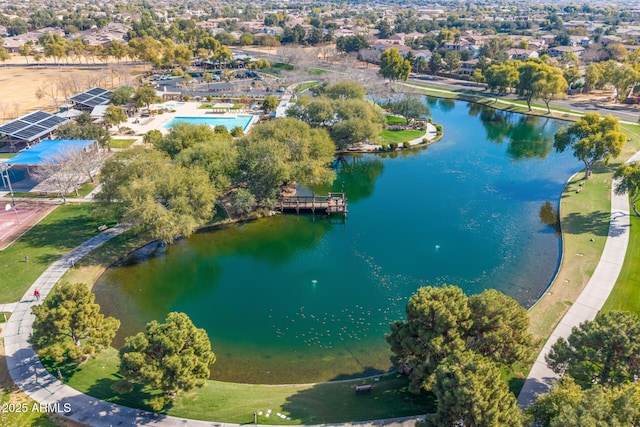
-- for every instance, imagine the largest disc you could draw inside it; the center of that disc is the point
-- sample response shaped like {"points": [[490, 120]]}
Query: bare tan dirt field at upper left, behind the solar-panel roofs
{"points": [[20, 84]]}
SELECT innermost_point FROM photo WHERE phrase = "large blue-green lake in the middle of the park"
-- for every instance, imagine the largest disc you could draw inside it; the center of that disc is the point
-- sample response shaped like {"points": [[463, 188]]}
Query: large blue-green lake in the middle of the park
{"points": [[297, 299]]}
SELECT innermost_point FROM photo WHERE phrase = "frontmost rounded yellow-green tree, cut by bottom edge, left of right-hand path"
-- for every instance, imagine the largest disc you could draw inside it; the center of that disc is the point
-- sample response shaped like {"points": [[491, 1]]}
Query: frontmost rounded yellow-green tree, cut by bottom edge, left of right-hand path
{"points": [[470, 392]]}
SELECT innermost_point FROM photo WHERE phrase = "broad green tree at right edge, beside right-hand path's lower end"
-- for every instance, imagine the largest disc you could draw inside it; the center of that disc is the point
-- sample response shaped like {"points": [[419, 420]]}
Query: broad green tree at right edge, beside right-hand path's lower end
{"points": [[603, 351]]}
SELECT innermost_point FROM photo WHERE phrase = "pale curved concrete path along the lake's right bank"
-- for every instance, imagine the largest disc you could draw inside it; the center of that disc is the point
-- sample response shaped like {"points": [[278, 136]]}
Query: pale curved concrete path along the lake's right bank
{"points": [[590, 301]]}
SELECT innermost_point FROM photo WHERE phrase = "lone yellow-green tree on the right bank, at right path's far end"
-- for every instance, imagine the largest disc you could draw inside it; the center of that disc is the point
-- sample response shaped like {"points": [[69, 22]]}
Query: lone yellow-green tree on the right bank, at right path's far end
{"points": [[592, 138]]}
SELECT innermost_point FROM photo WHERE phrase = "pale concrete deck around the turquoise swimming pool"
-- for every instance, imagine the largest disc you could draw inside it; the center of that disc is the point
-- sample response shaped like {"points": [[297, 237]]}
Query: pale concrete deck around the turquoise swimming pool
{"points": [[186, 109]]}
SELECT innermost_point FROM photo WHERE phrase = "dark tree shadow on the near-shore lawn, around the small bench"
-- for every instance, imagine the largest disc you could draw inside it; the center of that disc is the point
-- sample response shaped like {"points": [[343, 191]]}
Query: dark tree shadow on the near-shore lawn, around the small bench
{"points": [[340, 402]]}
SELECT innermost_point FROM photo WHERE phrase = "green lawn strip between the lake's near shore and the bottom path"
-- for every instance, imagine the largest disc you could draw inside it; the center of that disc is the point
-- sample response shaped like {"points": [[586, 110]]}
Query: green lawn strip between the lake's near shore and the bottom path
{"points": [[229, 402]]}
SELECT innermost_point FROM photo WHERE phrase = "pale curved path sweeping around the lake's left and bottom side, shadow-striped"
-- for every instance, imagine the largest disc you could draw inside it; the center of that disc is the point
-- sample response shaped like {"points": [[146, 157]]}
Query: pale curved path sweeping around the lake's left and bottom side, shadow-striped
{"points": [[27, 371]]}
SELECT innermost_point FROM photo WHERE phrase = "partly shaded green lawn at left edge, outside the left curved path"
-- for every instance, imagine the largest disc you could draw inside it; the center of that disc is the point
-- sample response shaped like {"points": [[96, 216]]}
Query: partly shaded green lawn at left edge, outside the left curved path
{"points": [[58, 233]]}
